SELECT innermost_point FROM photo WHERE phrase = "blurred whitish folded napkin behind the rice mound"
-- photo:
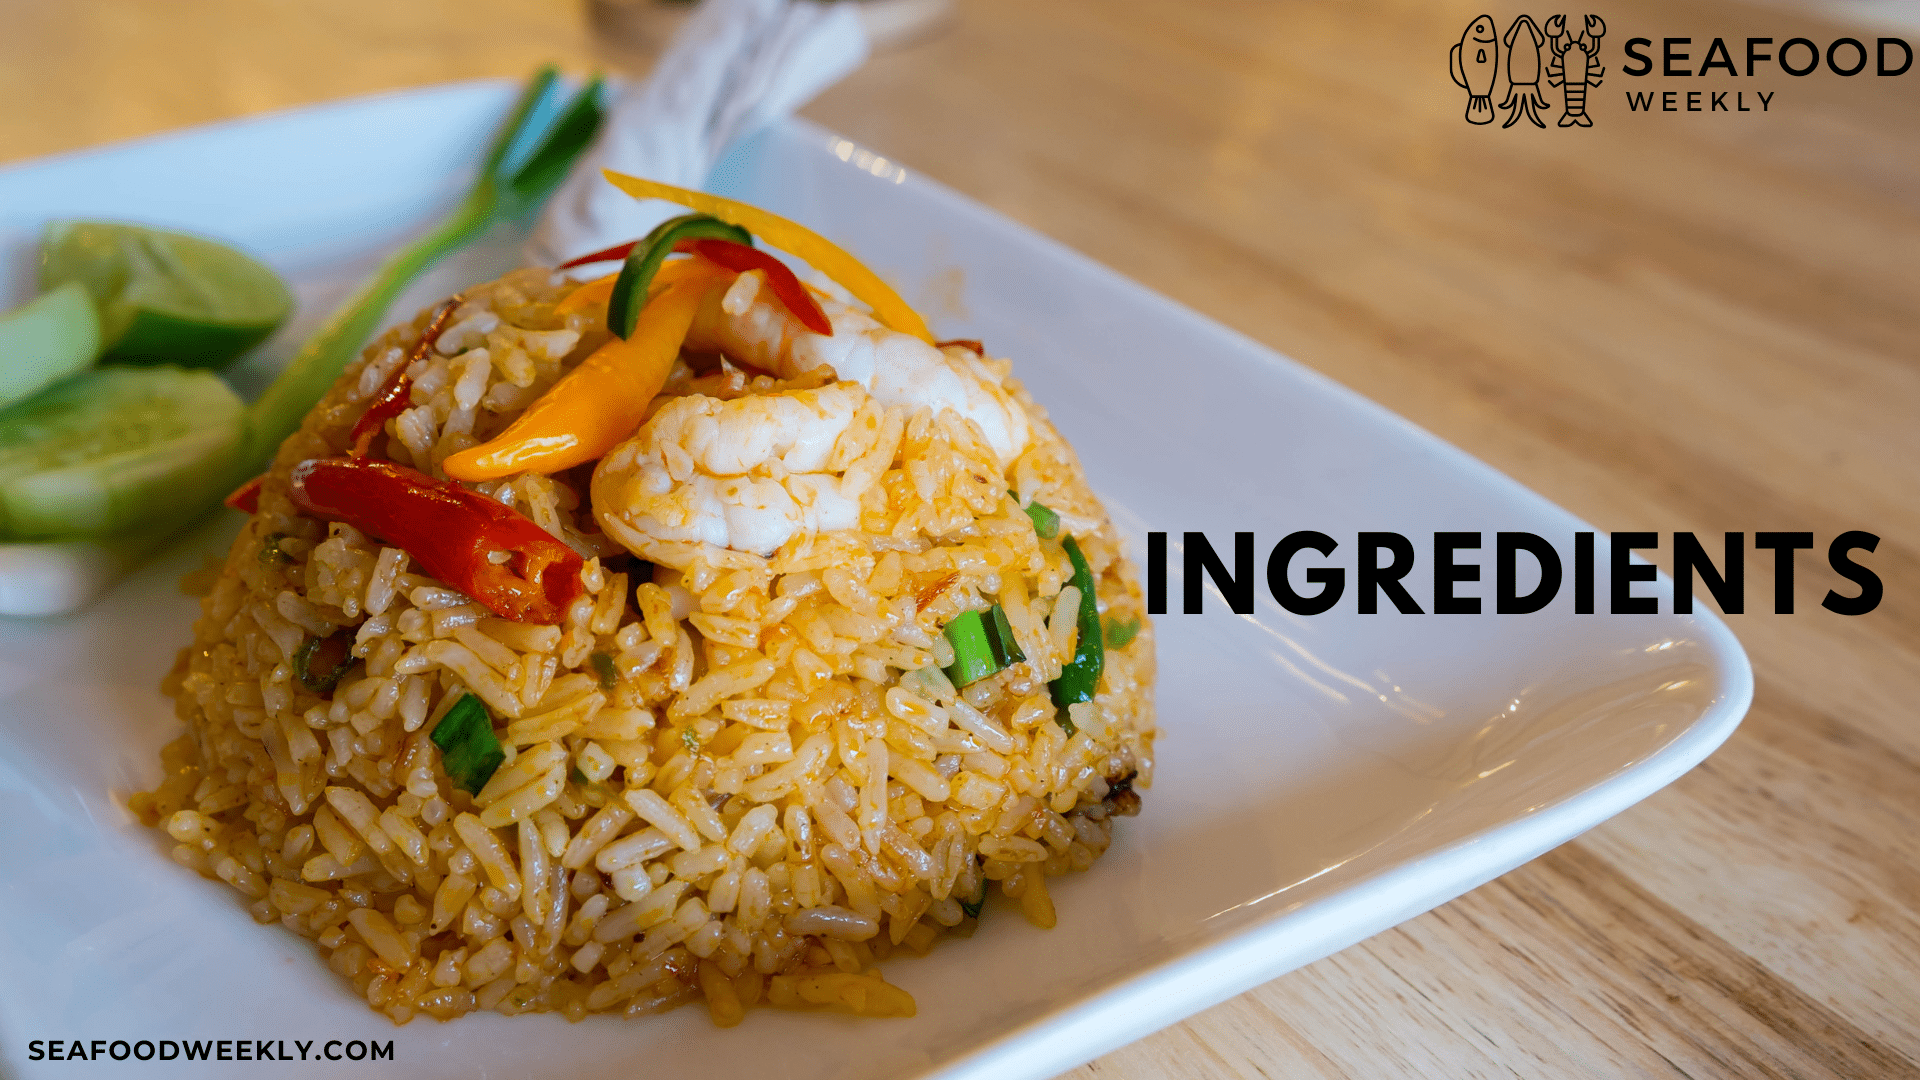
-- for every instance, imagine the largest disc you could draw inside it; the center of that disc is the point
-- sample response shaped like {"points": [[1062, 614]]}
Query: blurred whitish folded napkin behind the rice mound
{"points": [[732, 68]]}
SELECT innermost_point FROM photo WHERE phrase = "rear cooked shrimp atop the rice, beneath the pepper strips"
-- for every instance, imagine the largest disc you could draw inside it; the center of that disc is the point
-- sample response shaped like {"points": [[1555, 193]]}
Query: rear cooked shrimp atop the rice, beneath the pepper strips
{"points": [[898, 370]]}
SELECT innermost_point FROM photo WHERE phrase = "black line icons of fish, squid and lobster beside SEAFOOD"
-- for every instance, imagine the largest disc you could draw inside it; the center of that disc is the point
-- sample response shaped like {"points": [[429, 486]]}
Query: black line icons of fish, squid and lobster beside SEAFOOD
{"points": [[1524, 55]]}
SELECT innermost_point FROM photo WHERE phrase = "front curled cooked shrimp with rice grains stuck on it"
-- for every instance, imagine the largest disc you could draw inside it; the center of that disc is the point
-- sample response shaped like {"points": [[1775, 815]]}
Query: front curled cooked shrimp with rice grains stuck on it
{"points": [[746, 474]]}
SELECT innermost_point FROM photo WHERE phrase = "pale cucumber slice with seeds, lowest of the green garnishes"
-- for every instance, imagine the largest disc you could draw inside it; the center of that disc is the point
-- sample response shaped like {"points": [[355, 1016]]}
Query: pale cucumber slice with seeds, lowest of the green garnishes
{"points": [[116, 449]]}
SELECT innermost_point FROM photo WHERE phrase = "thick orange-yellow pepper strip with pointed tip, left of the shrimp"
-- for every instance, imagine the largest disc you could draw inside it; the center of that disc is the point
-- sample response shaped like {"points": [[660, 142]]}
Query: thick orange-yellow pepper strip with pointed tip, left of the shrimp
{"points": [[602, 401]]}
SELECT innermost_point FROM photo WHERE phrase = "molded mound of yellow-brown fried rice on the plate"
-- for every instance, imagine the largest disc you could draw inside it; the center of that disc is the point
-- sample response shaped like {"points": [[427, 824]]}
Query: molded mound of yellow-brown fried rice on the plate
{"points": [[779, 791]]}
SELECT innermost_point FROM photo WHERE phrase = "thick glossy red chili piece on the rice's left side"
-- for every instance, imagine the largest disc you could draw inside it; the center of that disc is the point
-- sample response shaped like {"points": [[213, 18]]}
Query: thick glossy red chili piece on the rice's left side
{"points": [[452, 531]]}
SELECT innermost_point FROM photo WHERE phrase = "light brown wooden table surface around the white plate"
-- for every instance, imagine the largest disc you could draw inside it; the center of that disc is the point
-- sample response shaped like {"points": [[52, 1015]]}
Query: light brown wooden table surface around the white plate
{"points": [[1673, 322]]}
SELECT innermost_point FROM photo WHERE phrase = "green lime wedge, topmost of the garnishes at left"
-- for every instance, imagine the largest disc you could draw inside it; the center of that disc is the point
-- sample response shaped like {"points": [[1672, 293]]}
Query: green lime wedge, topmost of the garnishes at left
{"points": [[166, 297]]}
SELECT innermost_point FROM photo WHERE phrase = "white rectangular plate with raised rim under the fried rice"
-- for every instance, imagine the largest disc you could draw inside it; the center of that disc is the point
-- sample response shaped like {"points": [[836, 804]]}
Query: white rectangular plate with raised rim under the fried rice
{"points": [[1320, 779]]}
